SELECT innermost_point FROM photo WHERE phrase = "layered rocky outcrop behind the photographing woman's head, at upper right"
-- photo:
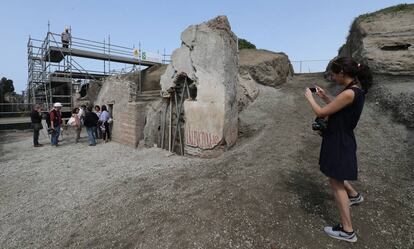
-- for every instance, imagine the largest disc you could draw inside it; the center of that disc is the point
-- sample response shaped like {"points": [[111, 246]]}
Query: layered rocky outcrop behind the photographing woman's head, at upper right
{"points": [[384, 40]]}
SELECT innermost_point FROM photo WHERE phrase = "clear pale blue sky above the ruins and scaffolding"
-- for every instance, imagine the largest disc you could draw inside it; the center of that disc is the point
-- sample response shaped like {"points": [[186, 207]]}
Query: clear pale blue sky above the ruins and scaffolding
{"points": [[304, 30]]}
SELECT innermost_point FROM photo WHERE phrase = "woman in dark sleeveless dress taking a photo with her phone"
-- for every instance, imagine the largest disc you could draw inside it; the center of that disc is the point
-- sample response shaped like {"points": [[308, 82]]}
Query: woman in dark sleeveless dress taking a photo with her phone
{"points": [[338, 159]]}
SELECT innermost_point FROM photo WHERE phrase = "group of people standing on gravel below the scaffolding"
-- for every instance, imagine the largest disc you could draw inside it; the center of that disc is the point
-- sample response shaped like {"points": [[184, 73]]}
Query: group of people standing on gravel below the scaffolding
{"points": [[96, 122]]}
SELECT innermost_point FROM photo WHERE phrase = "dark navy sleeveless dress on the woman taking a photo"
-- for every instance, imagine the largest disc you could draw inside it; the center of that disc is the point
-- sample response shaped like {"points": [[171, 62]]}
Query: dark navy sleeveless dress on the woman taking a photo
{"points": [[337, 158]]}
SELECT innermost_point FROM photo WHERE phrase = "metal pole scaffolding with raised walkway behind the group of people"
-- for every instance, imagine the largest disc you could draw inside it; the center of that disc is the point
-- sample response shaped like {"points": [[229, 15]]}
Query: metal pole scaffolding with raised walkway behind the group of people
{"points": [[54, 72]]}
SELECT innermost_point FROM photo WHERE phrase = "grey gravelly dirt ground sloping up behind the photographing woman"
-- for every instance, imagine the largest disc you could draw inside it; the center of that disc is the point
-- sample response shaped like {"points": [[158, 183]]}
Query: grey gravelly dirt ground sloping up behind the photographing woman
{"points": [[266, 192]]}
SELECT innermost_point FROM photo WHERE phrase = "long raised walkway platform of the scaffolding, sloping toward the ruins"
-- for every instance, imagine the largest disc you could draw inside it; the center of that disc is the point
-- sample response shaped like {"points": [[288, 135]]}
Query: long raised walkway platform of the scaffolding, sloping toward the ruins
{"points": [[57, 54]]}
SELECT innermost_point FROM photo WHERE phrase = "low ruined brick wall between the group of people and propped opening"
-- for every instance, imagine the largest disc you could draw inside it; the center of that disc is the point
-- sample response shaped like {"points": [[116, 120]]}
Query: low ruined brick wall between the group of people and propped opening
{"points": [[130, 108]]}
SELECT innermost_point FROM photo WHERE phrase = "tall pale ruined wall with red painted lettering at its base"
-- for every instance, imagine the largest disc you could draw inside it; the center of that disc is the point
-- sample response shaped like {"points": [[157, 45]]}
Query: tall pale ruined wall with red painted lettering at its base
{"points": [[208, 55]]}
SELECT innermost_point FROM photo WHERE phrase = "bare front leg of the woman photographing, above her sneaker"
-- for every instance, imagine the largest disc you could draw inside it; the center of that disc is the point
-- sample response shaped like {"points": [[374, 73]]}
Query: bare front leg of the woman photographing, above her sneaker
{"points": [[342, 201]]}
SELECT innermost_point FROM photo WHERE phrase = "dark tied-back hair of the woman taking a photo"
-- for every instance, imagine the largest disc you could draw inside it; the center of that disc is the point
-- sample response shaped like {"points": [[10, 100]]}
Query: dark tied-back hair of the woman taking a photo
{"points": [[358, 71]]}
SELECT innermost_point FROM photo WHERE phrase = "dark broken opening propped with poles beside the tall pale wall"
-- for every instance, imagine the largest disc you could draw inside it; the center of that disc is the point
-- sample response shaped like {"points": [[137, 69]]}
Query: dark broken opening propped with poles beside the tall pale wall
{"points": [[173, 118]]}
